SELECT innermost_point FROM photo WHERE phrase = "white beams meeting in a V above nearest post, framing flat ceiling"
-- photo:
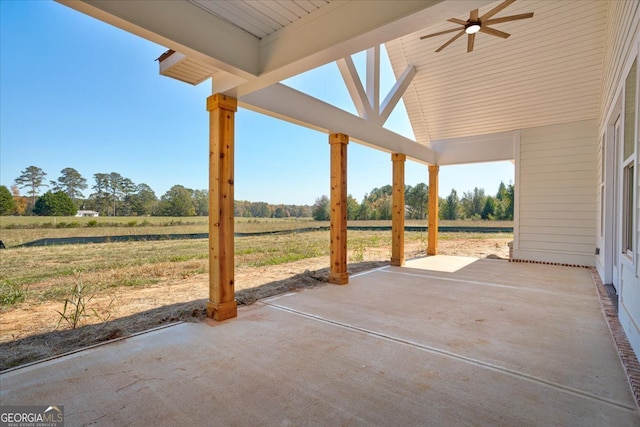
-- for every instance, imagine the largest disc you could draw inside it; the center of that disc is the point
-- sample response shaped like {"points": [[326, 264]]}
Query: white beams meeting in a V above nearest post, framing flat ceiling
{"points": [[331, 32]]}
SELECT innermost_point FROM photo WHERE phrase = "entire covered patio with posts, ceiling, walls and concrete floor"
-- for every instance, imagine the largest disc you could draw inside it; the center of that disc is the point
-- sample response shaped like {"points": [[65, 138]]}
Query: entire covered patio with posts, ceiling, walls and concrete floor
{"points": [[437, 340]]}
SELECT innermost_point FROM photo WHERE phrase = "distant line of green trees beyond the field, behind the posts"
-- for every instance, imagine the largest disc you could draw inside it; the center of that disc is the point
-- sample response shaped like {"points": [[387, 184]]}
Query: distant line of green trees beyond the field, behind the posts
{"points": [[115, 195]]}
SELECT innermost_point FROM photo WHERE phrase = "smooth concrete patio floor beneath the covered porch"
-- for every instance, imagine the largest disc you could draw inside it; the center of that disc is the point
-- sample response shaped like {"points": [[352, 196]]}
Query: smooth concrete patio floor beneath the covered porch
{"points": [[441, 341]]}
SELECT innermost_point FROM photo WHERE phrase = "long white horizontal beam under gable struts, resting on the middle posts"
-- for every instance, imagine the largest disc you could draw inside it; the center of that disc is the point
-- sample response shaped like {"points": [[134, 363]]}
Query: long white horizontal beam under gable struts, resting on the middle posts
{"points": [[288, 104]]}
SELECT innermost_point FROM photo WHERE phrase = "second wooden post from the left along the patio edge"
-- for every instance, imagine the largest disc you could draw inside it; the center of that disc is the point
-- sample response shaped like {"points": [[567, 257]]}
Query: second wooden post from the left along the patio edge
{"points": [[338, 274]]}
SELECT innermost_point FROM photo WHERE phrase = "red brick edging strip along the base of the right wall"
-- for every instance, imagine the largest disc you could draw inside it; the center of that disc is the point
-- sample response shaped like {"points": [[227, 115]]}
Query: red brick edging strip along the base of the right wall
{"points": [[627, 356]]}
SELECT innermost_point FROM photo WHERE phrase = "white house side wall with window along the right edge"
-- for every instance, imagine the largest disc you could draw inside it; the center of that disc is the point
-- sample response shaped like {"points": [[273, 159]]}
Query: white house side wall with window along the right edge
{"points": [[622, 44]]}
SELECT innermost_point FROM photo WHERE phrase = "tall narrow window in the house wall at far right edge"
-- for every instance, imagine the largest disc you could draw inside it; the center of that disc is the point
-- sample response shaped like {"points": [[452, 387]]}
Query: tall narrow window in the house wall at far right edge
{"points": [[628, 160]]}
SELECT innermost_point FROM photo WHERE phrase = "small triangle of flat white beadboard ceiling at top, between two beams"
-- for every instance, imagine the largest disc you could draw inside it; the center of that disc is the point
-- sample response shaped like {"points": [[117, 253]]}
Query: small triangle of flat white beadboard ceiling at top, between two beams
{"points": [[260, 17]]}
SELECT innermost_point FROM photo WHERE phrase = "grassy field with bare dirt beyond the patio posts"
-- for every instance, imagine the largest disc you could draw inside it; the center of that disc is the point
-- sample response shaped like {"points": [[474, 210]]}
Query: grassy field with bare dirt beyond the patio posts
{"points": [[56, 298]]}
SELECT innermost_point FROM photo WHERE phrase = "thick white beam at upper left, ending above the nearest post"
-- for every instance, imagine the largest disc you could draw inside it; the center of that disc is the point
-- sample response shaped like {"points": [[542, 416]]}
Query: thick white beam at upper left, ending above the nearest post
{"points": [[183, 27]]}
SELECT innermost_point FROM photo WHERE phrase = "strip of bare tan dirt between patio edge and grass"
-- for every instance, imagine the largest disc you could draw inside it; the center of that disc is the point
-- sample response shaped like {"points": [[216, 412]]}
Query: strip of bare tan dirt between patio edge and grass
{"points": [[31, 332]]}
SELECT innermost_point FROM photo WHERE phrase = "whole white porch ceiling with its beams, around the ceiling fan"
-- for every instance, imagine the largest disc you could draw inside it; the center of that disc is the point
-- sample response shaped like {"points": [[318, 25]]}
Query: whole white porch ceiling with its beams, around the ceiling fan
{"points": [[547, 72]]}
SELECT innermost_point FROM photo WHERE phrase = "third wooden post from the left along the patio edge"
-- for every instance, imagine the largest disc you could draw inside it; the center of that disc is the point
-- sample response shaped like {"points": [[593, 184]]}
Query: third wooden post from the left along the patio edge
{"points": [[397, 214]]}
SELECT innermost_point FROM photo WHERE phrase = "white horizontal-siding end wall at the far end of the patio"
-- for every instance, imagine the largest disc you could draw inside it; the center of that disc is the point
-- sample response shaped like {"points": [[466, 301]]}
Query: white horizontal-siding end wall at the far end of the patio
{"points": [[556, 194]]}
